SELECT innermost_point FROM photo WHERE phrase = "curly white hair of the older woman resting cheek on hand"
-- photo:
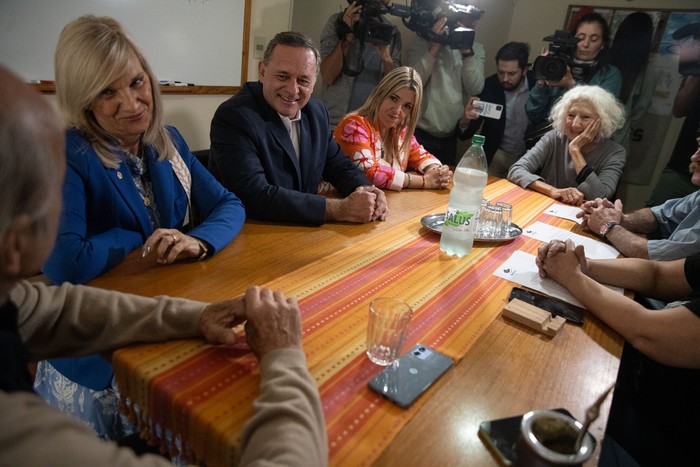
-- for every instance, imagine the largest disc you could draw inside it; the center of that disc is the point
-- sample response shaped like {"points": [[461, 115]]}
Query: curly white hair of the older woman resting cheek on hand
{"points": [[606, 106]]}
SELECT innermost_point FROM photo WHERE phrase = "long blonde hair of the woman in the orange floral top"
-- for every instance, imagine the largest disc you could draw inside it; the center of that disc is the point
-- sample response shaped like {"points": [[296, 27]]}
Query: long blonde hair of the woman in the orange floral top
{"points": [[398, 78]]}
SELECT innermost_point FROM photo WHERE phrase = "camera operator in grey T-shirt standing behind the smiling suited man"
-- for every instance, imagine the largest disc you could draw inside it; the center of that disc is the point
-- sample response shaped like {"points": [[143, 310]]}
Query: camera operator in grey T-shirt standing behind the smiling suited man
{"points": [[358, 47]]}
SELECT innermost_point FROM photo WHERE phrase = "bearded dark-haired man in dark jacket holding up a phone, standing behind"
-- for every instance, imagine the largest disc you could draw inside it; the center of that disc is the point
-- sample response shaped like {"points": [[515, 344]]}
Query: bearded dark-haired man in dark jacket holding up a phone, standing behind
{"points": [[509, 88]]}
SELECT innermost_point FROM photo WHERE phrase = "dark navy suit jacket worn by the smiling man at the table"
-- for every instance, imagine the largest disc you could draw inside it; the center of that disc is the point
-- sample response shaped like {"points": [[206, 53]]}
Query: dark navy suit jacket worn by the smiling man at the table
{"points": [[252, 155]]}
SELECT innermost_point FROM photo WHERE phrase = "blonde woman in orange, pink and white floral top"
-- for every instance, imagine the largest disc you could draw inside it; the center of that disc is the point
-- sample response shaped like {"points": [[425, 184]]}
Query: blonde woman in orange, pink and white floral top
{"points": [[379, 139]]}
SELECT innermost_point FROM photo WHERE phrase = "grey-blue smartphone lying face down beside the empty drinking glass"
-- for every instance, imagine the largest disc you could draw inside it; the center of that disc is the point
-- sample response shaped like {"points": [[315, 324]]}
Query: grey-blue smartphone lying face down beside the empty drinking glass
{"points": [[409, 377]]}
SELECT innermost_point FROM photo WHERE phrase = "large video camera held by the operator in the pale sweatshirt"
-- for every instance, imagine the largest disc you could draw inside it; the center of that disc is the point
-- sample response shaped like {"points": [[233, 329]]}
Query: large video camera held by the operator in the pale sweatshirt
{"points": [[424, 14]]}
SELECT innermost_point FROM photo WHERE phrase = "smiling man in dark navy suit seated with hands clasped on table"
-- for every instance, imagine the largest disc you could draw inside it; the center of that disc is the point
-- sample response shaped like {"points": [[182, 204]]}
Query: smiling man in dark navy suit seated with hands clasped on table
{"points": [[271, 145]]}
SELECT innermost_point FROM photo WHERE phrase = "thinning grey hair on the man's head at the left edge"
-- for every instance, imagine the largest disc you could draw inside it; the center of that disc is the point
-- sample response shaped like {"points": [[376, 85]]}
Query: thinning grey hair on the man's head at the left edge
{"points": [[30, 140]]}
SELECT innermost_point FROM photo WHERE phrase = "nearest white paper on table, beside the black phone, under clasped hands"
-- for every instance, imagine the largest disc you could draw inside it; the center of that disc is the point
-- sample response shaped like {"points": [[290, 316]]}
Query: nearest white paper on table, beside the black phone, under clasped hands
{"points": [[522, 269]]}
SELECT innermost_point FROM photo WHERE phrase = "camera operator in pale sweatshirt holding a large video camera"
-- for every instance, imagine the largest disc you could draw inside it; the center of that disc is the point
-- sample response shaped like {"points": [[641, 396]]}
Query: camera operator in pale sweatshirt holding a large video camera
{"points": [[451, 65]]}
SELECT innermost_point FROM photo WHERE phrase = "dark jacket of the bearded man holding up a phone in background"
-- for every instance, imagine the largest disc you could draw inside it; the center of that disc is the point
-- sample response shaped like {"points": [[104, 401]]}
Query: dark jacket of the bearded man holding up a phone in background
{"points": [[492, 129]]}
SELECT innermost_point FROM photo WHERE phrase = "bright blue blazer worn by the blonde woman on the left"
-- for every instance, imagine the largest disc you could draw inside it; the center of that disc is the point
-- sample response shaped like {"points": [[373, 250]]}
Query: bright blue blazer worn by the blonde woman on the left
{"points": [[104, 217]]}
